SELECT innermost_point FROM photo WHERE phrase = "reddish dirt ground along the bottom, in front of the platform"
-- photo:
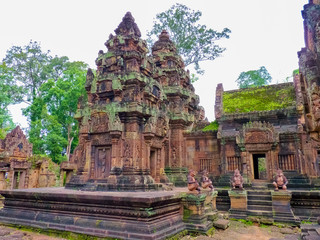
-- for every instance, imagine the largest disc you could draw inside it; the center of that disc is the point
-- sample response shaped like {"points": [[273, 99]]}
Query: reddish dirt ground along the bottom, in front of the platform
{"points": [[236, 231]]}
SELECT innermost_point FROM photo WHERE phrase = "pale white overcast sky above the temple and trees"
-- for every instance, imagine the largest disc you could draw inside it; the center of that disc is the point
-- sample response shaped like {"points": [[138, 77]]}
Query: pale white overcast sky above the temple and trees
{"points": [[263, 33]]}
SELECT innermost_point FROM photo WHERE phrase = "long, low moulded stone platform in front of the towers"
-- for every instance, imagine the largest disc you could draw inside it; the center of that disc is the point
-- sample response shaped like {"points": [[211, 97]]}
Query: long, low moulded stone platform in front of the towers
{"points": [[153, 215]]}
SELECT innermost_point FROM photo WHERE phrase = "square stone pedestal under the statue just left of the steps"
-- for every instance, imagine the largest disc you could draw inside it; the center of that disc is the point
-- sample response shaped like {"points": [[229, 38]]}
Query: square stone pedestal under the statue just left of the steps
{"points": [[238, 201]]}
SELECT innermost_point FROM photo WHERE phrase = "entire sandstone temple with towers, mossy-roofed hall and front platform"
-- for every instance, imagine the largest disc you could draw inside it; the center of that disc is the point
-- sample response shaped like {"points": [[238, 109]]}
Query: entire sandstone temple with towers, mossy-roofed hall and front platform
{"points": [[149, 165]]}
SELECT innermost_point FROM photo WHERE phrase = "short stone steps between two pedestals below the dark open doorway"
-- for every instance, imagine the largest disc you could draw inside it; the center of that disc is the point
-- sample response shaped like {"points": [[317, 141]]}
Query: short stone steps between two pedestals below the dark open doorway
{"points": [[259, 204]]}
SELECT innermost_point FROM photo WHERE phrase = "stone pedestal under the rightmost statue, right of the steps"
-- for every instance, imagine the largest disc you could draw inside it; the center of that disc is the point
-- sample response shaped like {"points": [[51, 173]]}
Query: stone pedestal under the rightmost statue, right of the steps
{"points": [[281, 208]]}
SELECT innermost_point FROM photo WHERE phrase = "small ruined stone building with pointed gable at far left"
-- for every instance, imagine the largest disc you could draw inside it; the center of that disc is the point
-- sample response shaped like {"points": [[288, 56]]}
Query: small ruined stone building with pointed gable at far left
{"points": [[18, 168]]}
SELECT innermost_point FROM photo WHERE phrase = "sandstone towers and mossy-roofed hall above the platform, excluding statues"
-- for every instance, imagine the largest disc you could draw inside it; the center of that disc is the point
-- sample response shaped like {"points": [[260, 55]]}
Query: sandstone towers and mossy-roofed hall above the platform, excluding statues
{"points": [[141, 127]]}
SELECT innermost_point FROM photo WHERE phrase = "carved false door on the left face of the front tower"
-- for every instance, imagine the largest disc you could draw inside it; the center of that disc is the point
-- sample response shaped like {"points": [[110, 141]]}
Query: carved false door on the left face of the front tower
{"points": [[102, 165]]}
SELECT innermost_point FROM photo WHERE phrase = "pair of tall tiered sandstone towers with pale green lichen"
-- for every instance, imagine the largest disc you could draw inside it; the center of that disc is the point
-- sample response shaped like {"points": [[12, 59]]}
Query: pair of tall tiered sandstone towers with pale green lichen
{"points": [[131, 127]]}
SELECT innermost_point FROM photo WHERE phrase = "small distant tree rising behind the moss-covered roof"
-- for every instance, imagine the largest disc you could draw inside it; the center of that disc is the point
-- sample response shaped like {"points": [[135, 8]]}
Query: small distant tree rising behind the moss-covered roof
{"points": [[254, 78]]}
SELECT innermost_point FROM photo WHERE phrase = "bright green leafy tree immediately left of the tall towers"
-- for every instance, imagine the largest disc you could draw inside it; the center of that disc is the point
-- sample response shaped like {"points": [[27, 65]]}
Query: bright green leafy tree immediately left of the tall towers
{"points": [[53, 129]]}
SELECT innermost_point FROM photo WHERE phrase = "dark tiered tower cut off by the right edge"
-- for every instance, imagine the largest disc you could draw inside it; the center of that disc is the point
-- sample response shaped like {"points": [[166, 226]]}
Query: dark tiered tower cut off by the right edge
{"points": [[307, 85]]}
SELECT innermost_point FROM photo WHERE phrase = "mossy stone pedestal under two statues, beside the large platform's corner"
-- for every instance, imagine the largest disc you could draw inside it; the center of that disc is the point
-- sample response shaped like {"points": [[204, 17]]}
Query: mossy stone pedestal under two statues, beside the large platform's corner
{"points": [[198, 210]]}
